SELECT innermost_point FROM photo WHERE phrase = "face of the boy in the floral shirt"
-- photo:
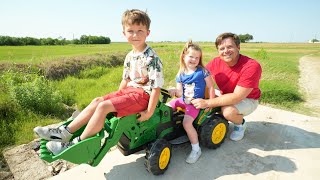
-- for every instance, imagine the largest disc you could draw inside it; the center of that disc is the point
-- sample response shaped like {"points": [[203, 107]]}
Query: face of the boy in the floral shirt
{"points": [[136, 34]]}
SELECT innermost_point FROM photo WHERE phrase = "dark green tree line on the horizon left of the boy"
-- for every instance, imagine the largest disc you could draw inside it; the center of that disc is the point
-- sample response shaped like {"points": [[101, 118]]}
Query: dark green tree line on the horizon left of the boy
{"points": [[25, 41]]}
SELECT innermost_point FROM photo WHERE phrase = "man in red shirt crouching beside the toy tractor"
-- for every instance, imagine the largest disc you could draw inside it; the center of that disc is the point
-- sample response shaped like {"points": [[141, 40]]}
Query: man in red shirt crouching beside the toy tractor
{"points": [[237, 77]]}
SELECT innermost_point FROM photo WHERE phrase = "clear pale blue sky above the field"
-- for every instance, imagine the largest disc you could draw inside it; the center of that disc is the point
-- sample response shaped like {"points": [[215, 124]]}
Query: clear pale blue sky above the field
{"points": [[172, 20]]}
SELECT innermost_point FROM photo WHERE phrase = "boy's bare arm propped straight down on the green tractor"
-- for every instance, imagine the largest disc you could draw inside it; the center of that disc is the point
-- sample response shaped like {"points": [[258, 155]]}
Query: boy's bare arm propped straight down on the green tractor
{"points": [[153, 101]]}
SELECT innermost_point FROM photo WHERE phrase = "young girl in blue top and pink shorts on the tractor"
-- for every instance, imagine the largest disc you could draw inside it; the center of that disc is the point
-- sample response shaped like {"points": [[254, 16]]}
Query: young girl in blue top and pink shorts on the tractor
{"points": [[192, 80]]}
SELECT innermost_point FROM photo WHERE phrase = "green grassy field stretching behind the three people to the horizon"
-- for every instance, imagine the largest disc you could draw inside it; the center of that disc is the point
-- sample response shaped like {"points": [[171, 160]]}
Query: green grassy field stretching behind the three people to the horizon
{"points": [[279, 83]]}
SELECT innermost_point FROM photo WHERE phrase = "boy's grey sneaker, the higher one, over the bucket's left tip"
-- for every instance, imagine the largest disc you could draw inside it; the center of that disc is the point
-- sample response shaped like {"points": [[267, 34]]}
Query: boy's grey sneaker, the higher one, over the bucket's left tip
{"points": [[60, 134]]}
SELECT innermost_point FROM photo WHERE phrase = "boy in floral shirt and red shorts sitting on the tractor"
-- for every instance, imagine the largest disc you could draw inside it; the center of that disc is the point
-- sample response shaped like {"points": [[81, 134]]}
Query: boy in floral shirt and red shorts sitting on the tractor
{"points": [[138, 92]]}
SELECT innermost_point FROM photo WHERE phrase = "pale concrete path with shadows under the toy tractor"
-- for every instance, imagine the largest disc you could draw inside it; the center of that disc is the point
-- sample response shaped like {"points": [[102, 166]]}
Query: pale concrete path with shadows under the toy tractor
{"points": [[278, 145]]}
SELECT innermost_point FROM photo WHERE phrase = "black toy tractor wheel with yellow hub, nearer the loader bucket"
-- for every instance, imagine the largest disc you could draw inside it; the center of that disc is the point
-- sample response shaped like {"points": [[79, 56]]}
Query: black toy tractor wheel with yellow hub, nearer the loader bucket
{"points": [[158, 155]]}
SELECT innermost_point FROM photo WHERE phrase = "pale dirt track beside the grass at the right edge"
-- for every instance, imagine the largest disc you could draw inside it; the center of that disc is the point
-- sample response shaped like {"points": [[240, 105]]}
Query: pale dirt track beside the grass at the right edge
{"points": [[309, 81]]}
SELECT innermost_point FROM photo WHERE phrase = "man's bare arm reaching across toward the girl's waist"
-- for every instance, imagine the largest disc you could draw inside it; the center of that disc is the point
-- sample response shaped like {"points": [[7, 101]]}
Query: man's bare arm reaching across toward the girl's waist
{"points": [[238, 95]]}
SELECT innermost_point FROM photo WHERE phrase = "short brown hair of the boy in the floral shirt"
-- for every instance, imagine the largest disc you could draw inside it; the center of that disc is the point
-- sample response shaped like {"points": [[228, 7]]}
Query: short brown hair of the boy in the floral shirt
{"points": [[135, 16]]}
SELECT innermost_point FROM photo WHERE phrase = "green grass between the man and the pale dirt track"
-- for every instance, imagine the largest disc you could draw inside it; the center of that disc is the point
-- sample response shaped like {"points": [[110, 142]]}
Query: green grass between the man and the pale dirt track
{"points": [[280, 77]]}
